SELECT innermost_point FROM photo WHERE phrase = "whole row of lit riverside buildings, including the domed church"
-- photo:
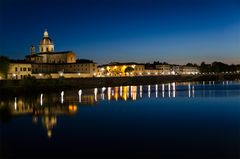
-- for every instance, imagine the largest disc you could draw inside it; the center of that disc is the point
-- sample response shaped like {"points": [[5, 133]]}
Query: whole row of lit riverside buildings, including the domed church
{"points": [[50, 64]]}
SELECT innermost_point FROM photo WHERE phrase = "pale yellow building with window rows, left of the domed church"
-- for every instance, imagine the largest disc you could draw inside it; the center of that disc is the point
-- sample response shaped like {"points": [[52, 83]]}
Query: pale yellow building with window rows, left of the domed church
{"points": [[19, 69]]}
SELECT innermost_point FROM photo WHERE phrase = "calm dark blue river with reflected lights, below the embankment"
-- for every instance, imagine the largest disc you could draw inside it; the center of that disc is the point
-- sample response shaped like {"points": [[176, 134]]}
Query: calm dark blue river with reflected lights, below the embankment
{"points": [[176, 120]]}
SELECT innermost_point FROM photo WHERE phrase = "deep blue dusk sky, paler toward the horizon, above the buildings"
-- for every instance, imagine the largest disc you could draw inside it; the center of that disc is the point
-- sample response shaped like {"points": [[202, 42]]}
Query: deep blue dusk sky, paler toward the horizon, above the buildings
{"points": [[175, 31]]}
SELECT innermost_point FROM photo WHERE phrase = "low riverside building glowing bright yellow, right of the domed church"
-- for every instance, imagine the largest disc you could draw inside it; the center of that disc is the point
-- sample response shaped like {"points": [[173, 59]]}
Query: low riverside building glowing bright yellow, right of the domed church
{"points": [[121, 69]]}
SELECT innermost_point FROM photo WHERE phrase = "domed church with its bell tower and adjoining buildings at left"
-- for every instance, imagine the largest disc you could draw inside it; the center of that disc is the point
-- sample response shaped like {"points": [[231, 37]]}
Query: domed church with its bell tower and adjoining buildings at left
{"points": [[48, 63]]}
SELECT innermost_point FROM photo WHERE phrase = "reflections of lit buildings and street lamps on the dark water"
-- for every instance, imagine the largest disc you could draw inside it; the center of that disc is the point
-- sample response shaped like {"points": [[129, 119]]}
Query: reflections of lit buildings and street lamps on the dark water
{"points": [[50, 112]]}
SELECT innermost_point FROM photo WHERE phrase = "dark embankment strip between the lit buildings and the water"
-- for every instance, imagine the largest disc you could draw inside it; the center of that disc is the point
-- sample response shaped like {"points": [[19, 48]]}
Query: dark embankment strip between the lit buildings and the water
{"points": [[46, 85]]}
